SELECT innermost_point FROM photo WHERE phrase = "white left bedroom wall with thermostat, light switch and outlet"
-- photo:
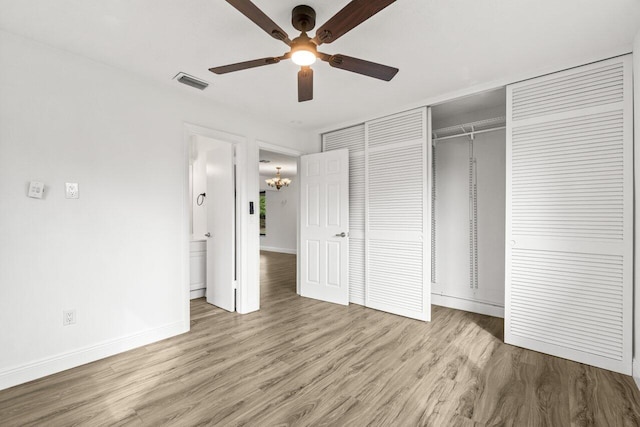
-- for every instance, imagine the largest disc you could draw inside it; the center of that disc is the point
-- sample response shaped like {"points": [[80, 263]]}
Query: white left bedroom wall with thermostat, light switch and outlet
{"points": [[119, 254]]}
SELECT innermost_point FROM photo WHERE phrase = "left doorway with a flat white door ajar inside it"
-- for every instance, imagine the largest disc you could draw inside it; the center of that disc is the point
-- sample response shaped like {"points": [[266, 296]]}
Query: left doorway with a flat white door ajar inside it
{"points": [[216, 226]]}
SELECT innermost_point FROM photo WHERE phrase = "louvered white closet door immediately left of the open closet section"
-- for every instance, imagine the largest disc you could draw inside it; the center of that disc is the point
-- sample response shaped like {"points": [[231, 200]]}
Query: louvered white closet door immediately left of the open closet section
{"points": [[398, 215]]}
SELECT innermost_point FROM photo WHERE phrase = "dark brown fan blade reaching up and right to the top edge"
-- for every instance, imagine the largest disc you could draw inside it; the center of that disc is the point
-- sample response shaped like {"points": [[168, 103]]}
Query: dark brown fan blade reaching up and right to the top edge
{"points": [[349, 17]]}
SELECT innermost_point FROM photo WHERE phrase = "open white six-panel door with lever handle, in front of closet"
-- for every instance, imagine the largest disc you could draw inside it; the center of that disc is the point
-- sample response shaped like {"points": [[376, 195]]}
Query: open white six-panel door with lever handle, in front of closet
{"points": [[324, 226]]}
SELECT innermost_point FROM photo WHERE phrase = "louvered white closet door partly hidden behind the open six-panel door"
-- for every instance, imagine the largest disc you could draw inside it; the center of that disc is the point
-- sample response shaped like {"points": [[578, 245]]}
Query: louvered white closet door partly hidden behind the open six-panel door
{"points": [[352, 138]]}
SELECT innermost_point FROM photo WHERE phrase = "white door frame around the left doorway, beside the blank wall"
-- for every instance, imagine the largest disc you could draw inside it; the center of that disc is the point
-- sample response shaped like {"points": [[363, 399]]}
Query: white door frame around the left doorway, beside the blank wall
{"points": [[239, 143]]}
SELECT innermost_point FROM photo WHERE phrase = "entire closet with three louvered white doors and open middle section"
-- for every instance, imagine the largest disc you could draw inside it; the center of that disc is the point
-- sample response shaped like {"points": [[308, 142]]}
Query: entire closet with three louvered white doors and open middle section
{"points": [[515, 203]]}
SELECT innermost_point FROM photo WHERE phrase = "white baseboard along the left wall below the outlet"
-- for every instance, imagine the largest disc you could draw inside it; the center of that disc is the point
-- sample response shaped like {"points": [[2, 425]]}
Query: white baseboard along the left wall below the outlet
{"points": [[61, 362]]}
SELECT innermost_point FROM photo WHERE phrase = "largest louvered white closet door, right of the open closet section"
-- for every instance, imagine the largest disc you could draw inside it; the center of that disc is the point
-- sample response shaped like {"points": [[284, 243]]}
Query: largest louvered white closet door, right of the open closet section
{"points": [[569, 214]]}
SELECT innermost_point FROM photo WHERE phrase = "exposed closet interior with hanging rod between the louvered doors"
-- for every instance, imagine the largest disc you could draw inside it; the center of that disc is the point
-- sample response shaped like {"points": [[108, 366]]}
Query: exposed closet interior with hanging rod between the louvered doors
{"points": [[468, 206]]}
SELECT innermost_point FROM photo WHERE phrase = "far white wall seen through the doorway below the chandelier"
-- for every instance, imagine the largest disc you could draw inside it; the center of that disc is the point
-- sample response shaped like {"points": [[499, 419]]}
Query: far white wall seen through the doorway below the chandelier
{"points": [[281, 217]]}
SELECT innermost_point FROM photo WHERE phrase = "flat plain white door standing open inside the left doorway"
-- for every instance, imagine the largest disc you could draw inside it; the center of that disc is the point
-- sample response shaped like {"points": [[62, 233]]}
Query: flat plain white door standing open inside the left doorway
{"points": [[221, 225]]}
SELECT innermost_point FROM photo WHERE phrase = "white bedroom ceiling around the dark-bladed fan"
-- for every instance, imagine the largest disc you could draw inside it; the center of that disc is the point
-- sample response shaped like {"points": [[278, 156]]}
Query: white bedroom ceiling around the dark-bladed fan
{"points": [[439, 46]]}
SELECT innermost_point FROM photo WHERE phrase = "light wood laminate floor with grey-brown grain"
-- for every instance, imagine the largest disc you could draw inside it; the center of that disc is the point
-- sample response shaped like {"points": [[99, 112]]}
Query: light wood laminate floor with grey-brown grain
{"points": [[304, 362]]}
